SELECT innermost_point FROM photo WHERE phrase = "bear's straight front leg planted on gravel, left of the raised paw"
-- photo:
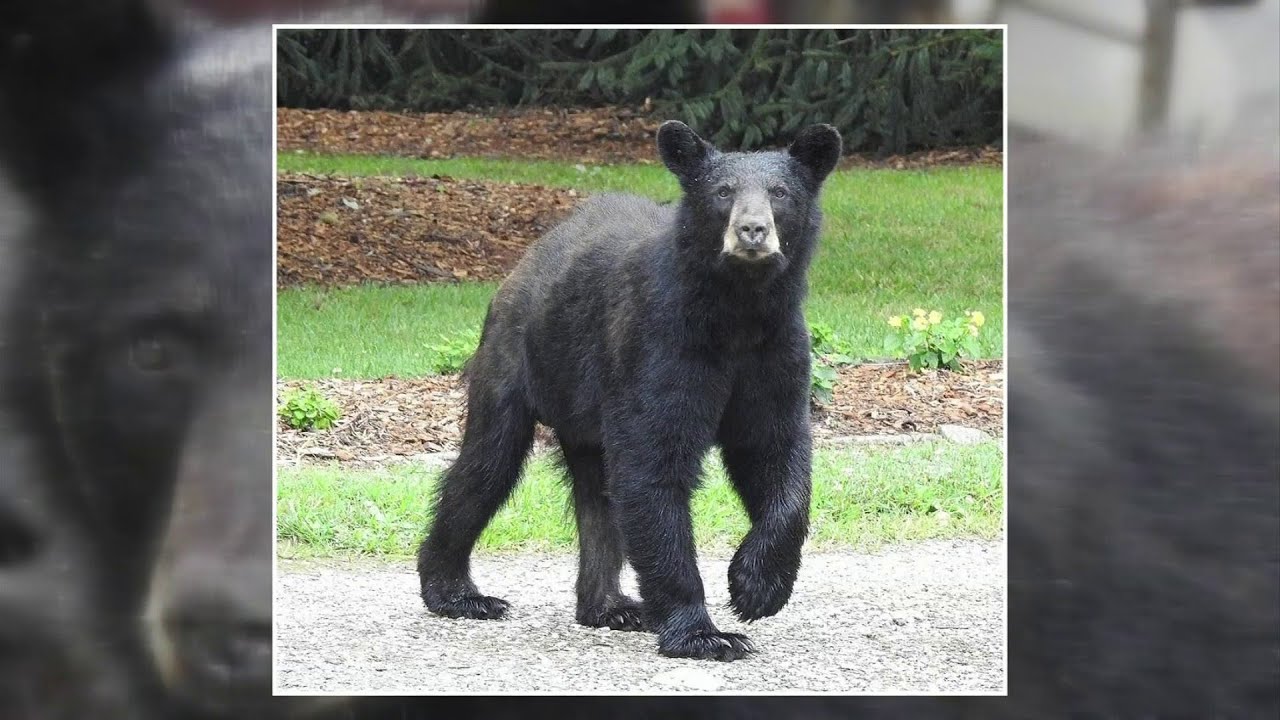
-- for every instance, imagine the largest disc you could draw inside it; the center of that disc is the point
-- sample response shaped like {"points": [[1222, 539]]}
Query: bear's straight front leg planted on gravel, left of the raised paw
{"points": [[653, 467]]}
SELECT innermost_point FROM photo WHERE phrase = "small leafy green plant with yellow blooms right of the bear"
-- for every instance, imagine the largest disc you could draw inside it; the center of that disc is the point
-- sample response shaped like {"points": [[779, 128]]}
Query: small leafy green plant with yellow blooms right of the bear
{"points": [[930, 341]]}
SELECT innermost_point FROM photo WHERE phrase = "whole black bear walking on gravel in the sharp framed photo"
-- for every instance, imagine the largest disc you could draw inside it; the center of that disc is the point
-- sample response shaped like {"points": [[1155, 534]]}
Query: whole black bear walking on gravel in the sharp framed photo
{"points": [[643, 335]]}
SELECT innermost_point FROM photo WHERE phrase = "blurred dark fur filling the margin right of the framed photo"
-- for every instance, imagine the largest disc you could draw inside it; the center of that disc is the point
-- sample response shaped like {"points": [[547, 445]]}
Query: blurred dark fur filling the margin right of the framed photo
{"points": [[1145, 436]]}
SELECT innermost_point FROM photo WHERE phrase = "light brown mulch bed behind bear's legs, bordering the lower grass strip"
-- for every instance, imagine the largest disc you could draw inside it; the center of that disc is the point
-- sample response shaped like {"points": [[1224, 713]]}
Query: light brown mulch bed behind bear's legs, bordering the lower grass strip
{"points": [[396, 420]]}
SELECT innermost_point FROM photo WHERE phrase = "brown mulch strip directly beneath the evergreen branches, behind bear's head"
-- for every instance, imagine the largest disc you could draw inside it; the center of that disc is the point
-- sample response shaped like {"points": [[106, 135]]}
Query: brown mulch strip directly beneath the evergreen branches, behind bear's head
{"points": [[596, 136]]}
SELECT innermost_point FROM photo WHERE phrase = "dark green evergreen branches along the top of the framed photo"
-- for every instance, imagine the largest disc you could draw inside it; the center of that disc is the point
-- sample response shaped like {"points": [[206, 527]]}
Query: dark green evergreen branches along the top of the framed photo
{"points": [[886, 90]]}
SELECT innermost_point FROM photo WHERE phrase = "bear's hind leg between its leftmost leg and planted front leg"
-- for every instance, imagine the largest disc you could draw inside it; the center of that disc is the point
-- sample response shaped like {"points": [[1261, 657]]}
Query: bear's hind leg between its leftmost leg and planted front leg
{"points": [[601, 603]]}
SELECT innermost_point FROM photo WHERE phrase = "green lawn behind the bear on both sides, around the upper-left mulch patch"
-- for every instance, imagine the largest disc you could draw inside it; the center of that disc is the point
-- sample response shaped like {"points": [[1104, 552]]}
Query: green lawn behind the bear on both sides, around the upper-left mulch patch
{"points": [[894, 240]]}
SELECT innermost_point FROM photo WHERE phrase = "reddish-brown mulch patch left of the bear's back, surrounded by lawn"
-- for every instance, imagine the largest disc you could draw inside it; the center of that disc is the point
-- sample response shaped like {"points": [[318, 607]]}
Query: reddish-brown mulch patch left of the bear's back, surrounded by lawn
{"points": [[345, 231]]}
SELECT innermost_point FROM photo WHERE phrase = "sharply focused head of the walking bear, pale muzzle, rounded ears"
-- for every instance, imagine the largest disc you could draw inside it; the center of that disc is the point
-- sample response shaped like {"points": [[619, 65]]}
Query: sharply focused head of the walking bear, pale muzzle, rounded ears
{"points": [[752, 209]]}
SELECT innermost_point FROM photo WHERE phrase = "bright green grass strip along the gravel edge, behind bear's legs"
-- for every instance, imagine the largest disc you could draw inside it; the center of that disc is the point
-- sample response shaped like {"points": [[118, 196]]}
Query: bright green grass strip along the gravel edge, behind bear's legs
{"points": [[862, 498]]}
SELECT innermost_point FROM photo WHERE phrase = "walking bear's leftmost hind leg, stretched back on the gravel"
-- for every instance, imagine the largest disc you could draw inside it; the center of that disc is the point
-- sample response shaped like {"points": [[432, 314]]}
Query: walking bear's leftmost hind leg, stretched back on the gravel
{"points": [[500, 431]]}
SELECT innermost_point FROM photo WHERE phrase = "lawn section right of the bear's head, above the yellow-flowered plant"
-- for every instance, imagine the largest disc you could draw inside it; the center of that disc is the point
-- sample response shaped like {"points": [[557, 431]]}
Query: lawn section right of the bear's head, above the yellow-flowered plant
{"points": [[897, 240]]}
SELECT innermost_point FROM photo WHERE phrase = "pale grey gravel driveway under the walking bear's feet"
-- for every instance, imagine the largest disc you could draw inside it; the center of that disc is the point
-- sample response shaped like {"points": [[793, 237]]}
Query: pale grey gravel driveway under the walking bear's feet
{"points": [[917, 618]]}
